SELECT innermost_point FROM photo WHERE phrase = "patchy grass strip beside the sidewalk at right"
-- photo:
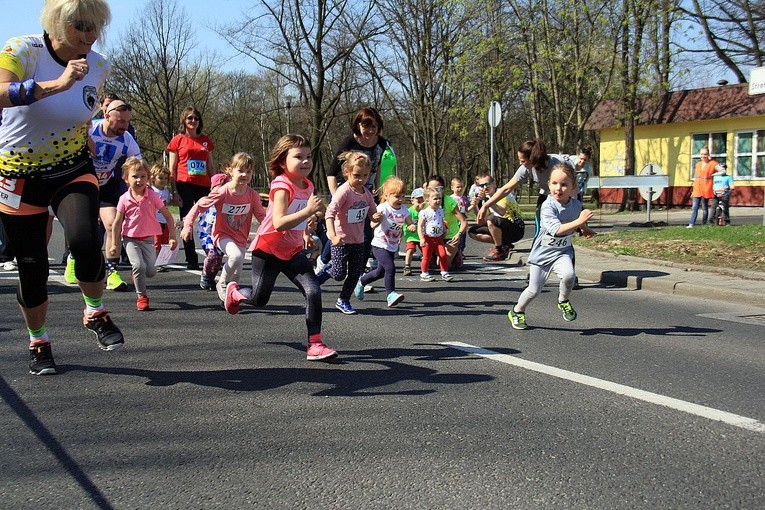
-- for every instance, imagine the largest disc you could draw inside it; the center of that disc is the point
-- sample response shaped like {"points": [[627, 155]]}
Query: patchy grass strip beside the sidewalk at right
{"points": [[737, 247]]}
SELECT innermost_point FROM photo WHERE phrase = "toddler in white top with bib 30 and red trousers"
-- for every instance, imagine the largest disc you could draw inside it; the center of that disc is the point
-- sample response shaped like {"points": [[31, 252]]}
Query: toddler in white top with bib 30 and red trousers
{"points": [[432, 228]]}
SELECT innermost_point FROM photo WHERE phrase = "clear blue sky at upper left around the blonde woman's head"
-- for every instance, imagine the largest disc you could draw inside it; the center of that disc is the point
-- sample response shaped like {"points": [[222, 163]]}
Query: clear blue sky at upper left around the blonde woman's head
{"points": [[24, 19]]}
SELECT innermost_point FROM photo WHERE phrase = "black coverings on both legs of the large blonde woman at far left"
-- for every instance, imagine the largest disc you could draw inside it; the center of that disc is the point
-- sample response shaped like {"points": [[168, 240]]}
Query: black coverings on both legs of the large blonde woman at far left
{"points": [[76, 206]]}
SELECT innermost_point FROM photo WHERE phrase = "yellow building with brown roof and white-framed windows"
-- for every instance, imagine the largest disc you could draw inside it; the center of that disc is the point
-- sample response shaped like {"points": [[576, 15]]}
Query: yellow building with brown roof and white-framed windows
{"points": [[671, 130]]}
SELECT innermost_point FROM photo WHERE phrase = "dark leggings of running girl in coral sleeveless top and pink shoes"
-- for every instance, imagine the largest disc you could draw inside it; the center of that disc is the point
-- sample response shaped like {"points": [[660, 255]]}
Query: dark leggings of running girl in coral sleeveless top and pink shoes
{"points": [[265, 269]]}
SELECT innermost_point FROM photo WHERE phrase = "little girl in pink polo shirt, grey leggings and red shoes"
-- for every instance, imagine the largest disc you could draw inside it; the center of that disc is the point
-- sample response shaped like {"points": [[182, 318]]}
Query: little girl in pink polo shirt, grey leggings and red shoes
{"points": [[136, 221]]}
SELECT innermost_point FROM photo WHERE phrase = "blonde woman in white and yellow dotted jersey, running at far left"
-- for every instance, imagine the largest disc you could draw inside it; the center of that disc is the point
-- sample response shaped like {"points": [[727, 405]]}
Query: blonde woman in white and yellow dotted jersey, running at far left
{"points": [[49, 86]]}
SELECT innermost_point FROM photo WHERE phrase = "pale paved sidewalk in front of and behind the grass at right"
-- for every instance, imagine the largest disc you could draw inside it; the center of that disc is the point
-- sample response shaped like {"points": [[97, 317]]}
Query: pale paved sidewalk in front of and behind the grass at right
{"points": [[736, 286]]}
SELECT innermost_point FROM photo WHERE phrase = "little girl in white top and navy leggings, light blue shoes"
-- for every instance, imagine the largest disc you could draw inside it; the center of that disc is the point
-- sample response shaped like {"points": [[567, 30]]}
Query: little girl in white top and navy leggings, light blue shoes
{"points": [[387, 236]]}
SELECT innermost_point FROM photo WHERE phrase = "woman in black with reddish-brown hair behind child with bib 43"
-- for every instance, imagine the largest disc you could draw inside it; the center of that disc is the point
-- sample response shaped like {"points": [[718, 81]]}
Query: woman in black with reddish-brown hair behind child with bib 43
{"points": [[366, 131]]}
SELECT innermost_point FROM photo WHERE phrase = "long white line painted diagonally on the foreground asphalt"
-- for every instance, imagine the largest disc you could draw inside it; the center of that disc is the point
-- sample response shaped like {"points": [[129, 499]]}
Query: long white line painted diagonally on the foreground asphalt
{"points": [[646, 396]]}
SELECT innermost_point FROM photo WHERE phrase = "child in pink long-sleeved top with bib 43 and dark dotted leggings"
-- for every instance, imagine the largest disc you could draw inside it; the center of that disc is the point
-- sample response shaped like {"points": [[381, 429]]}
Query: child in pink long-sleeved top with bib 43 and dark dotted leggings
{"points": [[345, 217]]}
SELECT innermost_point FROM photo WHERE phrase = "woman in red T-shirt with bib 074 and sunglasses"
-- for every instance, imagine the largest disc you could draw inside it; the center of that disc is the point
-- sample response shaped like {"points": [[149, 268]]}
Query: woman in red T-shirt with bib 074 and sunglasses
{"points": [[190, 167]]}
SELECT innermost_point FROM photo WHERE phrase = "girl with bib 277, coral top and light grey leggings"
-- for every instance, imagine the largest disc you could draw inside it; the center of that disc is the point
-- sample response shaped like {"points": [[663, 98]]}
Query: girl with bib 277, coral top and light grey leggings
{"points": [[235, 203]]}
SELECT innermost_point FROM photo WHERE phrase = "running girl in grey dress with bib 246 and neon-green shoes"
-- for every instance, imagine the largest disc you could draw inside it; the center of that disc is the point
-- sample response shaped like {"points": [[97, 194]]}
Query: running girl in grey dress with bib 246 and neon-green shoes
{"points": [[560, 217]]}
